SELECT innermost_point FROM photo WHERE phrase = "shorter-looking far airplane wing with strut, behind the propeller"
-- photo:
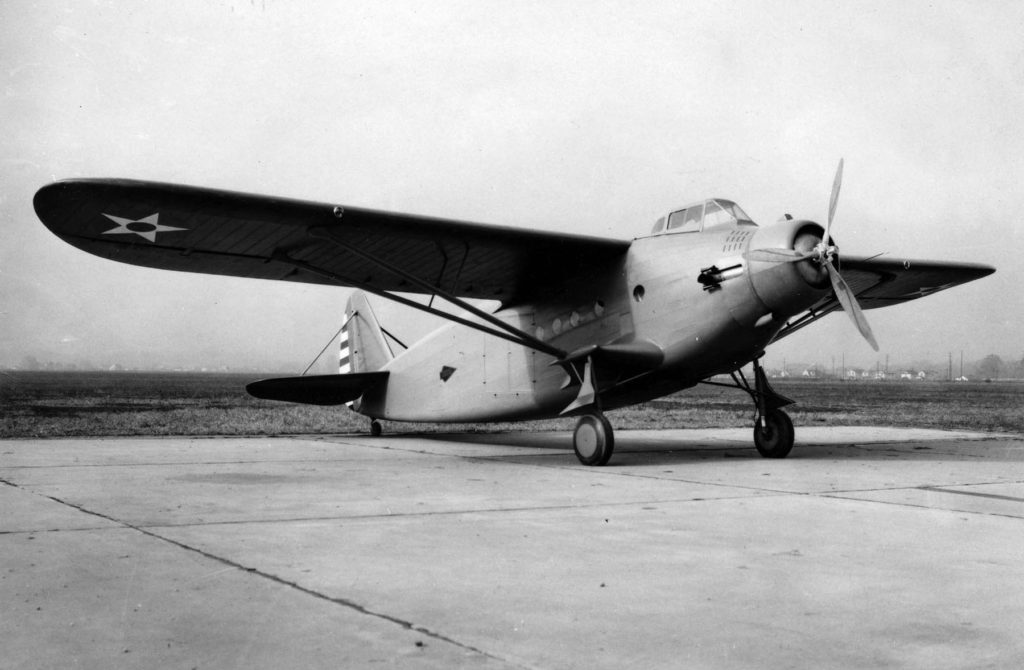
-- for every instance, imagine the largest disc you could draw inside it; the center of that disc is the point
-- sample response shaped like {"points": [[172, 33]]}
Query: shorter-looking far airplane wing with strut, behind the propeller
{"points": [[881, 282]]}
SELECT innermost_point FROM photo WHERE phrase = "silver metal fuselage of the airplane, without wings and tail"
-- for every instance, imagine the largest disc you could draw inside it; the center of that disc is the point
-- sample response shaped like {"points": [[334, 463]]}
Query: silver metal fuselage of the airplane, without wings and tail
{"points": [[651, 296]]}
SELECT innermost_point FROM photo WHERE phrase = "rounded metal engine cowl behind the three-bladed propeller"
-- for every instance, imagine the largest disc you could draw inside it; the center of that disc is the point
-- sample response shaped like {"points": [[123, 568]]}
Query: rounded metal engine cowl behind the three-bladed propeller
{"points": [[788, 288]]}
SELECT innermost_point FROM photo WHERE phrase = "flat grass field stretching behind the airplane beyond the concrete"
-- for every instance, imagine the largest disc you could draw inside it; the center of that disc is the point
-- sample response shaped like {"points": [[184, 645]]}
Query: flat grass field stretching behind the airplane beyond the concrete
{"points": [[79, 404]]}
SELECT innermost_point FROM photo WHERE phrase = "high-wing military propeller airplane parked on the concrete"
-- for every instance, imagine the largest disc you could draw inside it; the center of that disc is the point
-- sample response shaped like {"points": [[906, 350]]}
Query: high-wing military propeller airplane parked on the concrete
{"points": [[584, 324]]}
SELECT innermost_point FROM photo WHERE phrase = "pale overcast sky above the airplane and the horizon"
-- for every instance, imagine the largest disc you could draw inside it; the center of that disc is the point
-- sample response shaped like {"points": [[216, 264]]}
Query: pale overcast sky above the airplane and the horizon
{"points": [[589, 117]]}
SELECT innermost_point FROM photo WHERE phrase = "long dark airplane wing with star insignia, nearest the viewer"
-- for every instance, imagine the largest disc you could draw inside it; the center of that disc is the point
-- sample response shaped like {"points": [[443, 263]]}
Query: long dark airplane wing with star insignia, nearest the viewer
{"points": [[225, 233]]}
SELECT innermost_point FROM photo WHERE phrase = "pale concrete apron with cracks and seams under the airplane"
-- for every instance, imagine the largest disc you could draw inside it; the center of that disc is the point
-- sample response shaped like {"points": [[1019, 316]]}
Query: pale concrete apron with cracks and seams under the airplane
{"points": [[866, 549]]}
